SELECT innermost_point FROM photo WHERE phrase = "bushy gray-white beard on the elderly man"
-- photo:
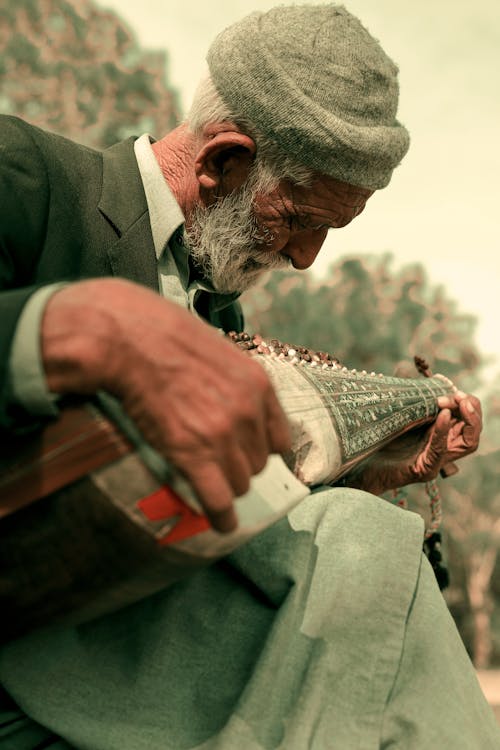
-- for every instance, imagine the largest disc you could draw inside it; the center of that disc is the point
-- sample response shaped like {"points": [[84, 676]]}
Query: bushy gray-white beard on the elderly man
{"points": [[223, 240]]}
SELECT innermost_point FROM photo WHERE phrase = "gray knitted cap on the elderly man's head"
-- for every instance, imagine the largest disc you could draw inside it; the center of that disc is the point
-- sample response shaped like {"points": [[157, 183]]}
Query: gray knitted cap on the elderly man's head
{"points": [[312, 79]]}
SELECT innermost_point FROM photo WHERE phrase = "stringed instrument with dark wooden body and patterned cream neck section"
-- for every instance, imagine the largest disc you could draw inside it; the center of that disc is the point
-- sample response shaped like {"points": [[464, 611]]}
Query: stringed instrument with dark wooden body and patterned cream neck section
{"points": [[91, 523]]}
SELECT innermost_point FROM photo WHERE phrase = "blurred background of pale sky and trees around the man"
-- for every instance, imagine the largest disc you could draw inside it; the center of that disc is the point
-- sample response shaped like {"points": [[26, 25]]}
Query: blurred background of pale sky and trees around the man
{"points": [[417, 273]]}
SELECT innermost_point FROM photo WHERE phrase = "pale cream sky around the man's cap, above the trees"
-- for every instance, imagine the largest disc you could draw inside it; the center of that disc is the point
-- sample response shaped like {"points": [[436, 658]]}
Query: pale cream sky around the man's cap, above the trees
{"points": [[442, 206]]}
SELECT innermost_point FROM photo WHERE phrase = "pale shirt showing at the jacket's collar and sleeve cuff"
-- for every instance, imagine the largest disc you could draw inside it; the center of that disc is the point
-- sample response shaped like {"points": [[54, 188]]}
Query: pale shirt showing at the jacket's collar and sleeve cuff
{"points": [[26, 371]]}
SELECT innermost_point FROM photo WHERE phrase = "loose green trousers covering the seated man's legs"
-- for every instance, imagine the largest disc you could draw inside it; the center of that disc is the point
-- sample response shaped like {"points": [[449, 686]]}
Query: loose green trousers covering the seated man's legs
{"points": [[327, 631]]}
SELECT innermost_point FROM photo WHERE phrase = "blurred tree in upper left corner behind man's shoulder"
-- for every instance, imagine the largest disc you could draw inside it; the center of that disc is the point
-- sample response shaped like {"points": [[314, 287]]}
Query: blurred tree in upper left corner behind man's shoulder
{"points": [[70, 67]]}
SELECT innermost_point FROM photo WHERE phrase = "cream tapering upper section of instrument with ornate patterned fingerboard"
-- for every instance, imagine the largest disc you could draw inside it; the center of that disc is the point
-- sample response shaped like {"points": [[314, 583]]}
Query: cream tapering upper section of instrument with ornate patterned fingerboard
{"points": [[339, 417]]}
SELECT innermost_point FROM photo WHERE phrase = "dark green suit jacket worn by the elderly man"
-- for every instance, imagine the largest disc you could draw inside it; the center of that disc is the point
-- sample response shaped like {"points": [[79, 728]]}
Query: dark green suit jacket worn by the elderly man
{"points": [[68, 212]]}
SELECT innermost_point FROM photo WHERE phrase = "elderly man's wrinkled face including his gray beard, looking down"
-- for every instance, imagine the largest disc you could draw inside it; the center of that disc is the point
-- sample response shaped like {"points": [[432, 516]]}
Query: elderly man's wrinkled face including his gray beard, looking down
{"points": [[252, 230]]}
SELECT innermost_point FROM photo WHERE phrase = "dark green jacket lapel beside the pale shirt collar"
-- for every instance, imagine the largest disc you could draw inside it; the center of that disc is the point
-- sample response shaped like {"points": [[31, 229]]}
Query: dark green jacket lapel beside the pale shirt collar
{"points": [[123, 204]]}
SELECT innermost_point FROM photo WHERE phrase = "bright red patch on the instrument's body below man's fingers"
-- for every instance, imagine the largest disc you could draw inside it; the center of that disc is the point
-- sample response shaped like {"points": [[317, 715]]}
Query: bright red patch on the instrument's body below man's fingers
{"points": [[164, 504]]}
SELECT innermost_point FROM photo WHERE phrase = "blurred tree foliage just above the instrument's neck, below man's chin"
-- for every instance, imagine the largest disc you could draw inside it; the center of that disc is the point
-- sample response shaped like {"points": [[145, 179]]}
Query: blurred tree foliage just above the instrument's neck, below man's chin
{"points": [[369, 316]]}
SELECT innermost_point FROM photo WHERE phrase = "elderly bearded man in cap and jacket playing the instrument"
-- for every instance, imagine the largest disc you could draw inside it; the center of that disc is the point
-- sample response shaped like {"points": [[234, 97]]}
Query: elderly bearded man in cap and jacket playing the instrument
{"points": [[309, 636]]}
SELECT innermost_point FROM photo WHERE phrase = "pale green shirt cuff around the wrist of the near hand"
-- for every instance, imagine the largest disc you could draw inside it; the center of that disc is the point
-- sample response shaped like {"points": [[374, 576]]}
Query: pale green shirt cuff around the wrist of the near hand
{"points": [[26, 373]]}
